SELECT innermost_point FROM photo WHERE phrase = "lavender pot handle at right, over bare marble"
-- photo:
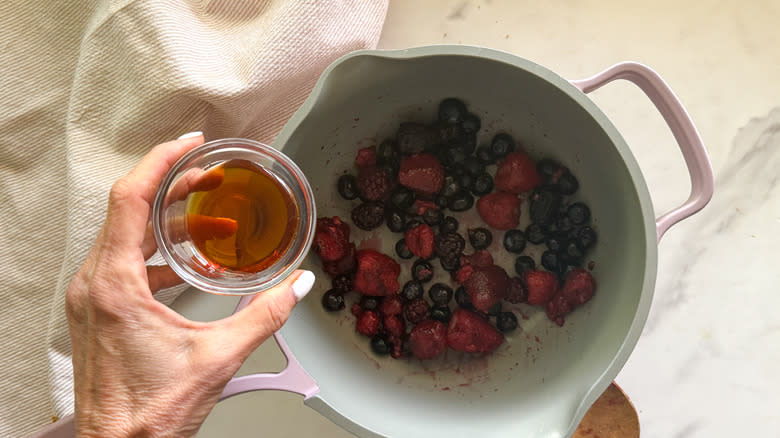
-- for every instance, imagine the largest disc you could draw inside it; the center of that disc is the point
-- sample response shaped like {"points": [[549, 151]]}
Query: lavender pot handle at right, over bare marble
{"points": [[670, 107]]}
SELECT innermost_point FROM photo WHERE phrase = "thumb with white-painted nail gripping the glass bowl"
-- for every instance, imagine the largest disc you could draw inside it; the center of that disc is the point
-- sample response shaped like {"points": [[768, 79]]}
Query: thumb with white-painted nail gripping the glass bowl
{"points": [[266, 312]]}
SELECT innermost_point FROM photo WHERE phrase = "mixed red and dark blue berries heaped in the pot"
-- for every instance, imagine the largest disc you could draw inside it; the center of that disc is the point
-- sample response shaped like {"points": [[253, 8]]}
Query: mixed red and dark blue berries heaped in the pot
{"points": [[409, 184]]}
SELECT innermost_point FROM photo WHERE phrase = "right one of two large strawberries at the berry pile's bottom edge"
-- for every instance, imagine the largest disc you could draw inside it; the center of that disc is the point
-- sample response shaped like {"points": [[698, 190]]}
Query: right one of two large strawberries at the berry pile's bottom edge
{"points": [[470, 333]]}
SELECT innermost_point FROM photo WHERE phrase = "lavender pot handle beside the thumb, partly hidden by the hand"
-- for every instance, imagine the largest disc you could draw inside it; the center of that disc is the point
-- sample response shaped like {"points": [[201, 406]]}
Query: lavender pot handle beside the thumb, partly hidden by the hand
{"points": [[293, 378]]}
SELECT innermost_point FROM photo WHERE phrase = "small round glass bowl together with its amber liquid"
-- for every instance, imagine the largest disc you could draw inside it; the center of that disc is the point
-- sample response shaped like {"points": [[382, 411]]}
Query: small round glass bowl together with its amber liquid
{"points": [[246, 243]]}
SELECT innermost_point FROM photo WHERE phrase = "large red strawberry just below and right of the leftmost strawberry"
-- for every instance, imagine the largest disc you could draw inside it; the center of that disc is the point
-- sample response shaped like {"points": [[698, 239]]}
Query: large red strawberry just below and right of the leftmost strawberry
{"points": [[377, 274]]}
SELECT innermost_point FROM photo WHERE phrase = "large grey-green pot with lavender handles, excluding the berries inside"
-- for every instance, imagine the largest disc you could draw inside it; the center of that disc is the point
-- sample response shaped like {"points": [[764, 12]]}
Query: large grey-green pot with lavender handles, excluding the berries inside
{"points": [[544, 378]]}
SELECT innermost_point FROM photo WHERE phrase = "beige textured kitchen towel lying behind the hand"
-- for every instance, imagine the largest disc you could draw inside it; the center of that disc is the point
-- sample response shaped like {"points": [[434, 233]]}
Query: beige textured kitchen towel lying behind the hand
{"points": [[87, 87]]}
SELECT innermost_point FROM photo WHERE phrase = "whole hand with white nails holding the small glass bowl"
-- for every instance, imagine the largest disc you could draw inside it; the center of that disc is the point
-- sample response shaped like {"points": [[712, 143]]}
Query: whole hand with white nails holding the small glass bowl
{"points": [[140, 368]]}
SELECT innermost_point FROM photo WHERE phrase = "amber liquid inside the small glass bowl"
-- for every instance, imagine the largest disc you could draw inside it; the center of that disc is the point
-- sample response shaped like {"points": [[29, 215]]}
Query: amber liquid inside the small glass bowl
{"points": [[244, 222]]}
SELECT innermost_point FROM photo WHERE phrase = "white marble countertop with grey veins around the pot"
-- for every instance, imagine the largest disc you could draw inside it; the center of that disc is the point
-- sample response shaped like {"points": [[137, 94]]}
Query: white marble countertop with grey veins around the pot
{"points": [[707, 362]]}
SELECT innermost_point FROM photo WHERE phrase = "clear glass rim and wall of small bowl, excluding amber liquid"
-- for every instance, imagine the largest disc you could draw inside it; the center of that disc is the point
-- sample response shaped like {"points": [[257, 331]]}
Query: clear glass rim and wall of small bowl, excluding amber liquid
{"points": [[170, 225]]}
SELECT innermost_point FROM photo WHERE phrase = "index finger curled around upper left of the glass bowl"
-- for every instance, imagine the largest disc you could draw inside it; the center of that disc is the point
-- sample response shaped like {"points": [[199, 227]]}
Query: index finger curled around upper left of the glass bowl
{"points": [[131, 197]]}
